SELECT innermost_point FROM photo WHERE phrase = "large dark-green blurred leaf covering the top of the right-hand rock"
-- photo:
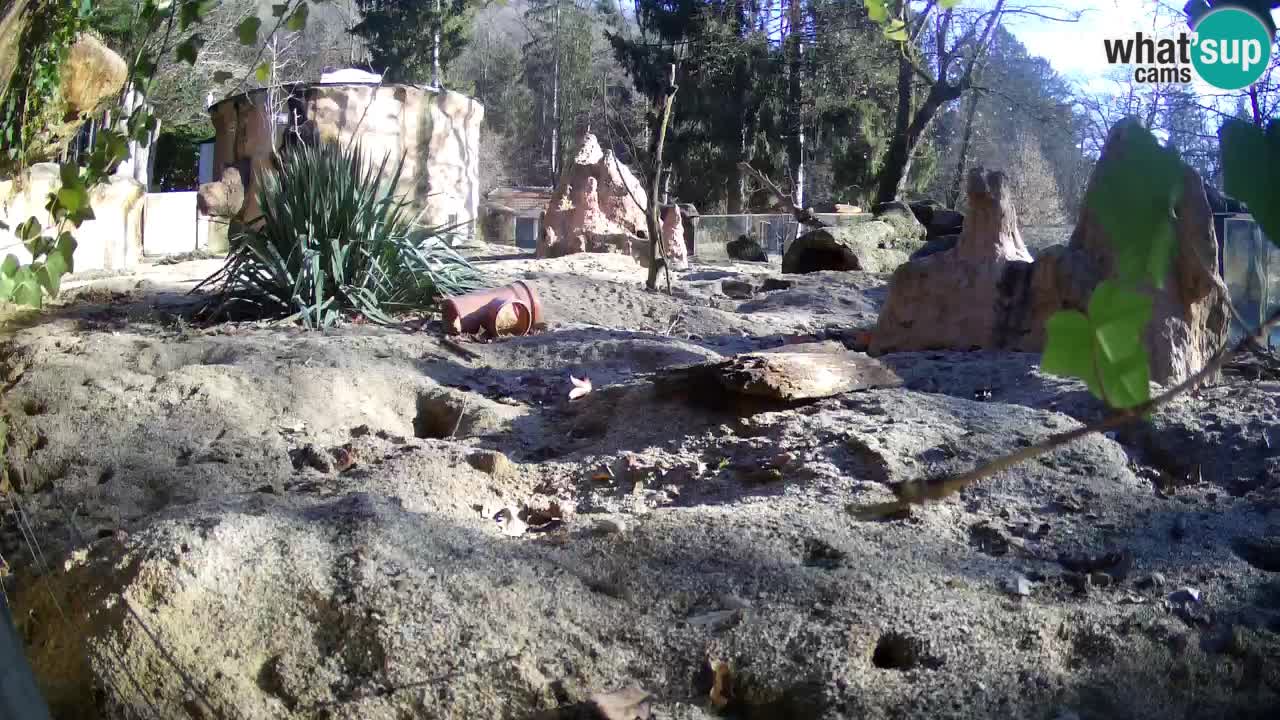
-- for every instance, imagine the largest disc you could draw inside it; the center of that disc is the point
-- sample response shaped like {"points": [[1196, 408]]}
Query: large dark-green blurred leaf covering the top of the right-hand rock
{"points": [[1133, 199]]}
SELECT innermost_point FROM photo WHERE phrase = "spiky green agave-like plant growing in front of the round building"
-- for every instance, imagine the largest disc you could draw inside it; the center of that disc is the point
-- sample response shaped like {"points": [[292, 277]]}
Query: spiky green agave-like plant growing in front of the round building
{"points": [[335, 240]]}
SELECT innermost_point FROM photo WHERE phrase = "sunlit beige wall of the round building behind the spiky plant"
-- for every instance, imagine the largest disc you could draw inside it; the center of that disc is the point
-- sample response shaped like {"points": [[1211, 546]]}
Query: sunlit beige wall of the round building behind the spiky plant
{"points": [[437, 133]]}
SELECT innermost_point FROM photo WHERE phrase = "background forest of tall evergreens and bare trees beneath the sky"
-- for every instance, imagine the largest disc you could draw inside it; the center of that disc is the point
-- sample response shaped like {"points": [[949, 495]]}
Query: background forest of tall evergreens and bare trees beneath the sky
{"points": [[808, 92]]}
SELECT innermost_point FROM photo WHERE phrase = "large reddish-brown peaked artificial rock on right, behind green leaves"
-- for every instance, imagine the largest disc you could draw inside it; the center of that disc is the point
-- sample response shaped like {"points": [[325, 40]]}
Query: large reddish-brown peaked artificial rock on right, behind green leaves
{"points": [[986, 293]]}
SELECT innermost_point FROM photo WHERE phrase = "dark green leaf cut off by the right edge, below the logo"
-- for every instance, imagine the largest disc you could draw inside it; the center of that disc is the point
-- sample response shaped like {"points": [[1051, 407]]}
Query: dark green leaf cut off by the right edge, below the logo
{"points": [[1251, 171]]}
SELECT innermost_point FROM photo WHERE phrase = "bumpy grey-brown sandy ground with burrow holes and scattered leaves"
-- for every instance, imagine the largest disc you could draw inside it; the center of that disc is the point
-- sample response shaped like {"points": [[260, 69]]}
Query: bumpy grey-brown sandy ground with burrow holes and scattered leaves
{"points": [[259, 522]]}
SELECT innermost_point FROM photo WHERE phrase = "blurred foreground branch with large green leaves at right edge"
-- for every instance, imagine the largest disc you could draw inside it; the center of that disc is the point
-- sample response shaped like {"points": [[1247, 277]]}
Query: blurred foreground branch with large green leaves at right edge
{"points": [[1105, 348]]}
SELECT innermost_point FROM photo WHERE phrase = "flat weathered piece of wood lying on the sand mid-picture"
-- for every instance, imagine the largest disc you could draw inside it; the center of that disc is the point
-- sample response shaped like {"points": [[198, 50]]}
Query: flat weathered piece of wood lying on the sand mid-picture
{"points": [[788, 375]]}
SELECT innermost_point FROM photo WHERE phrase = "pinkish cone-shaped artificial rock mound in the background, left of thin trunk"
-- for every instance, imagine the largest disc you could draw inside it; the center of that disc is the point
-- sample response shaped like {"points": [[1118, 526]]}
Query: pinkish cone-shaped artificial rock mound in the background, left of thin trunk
{"points": [[598, 207]]}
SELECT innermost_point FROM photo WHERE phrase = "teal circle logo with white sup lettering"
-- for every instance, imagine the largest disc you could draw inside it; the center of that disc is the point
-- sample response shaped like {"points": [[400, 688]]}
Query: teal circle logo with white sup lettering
{"points": [[1232, 48]]}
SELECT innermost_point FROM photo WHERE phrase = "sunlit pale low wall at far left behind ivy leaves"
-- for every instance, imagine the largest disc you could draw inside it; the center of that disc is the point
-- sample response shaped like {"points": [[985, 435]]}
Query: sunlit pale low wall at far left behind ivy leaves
{"points": [[111, 241]]}
